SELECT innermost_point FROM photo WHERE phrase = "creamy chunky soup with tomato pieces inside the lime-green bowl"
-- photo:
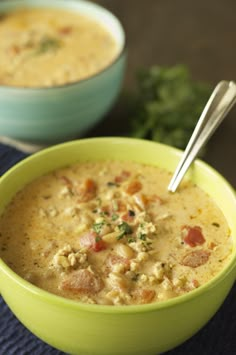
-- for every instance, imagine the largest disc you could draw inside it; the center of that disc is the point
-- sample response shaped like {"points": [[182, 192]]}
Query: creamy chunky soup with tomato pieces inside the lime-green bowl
{"points": [[110, 233]]}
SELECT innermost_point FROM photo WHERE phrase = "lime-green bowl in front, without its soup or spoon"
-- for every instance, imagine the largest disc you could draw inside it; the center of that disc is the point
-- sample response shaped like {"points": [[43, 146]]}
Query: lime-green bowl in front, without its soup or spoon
{"points": [[78, 328]]}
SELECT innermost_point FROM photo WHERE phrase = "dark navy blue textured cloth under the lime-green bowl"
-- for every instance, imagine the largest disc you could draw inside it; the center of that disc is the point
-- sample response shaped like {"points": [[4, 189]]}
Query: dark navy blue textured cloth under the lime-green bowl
{"points": [[216, 338]]}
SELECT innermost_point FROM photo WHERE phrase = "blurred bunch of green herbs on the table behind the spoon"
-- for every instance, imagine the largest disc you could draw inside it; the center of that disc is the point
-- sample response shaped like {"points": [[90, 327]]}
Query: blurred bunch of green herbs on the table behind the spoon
{"points": [[168, 105]]}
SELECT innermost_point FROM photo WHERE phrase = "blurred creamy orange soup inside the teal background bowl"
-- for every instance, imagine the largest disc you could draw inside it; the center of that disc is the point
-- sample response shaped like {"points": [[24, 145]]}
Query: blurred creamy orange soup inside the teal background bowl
{"points": [[49, 47]]}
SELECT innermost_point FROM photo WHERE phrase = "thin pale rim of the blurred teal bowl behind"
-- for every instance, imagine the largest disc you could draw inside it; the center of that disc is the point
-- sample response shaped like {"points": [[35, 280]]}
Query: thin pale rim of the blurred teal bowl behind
{"points": [[116, 59]]}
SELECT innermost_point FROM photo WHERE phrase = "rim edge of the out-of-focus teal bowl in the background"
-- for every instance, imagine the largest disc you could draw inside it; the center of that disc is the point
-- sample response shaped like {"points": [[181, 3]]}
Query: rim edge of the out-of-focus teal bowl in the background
{"points": [[121, 53]]}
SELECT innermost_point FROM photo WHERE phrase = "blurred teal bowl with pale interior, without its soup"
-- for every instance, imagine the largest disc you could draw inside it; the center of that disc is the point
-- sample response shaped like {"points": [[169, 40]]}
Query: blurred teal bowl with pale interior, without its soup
{"points": [[56, 114]]}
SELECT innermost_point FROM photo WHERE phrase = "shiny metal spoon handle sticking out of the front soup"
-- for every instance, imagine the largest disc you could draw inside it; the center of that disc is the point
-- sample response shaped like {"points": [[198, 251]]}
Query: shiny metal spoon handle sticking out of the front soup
{"points": [[219, 104]]}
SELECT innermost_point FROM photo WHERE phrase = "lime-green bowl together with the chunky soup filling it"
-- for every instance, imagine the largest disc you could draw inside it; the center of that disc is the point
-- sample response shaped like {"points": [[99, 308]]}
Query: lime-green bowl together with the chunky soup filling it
{"points": [[116, 327]]}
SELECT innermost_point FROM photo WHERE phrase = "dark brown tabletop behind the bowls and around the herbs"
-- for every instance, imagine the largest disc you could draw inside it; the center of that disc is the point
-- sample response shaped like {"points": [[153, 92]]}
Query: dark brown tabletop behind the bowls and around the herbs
{"points": [[200, 34]]}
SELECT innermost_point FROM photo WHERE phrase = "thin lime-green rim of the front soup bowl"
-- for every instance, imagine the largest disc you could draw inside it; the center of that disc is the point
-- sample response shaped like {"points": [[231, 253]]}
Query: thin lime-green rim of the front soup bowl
{"points": [[119, 309]]}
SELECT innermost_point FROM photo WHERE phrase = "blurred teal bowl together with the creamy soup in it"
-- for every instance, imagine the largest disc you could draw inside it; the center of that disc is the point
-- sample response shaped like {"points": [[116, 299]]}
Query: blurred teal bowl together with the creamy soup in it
{"points": [[63, 68]]}
